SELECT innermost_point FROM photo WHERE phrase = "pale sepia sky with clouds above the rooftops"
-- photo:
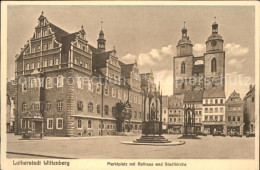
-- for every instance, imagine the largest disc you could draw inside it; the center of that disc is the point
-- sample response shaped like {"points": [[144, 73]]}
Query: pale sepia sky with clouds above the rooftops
{"points": [[149, 35]]}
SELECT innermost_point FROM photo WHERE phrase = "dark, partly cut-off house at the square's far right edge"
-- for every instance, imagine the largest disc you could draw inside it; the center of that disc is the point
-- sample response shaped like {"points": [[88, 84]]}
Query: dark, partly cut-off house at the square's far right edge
{"points": [[249, 110]]}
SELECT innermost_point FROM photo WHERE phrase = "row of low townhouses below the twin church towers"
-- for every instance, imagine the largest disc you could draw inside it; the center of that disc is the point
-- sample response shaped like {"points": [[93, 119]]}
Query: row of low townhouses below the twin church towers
{"points": [[239, 116]]}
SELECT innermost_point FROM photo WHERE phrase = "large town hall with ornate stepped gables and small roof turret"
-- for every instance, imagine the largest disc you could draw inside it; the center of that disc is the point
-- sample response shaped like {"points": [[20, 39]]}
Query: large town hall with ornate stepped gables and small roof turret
{"points": [[73, 85]]}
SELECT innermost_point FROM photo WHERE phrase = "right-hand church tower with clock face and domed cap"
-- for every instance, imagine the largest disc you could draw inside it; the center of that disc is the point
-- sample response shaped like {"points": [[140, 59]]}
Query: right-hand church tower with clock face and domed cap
{"points": [[214, 60]]}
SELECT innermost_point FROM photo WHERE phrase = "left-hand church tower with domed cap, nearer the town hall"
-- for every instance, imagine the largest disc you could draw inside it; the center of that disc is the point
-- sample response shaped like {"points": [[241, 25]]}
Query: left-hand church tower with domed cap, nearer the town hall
{"points": [[182, 63]]}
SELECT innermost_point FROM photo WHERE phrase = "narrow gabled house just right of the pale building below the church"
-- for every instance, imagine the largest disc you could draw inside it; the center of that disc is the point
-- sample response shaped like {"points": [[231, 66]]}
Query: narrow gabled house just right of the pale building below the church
{"points": [[234, 114]]}
